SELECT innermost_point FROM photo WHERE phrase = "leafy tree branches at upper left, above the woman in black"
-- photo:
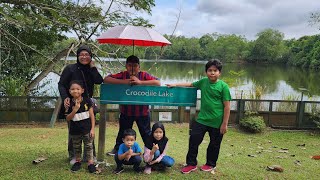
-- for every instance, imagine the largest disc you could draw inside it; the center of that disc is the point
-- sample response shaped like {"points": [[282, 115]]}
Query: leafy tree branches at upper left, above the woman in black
{"points": [[30, 31]]}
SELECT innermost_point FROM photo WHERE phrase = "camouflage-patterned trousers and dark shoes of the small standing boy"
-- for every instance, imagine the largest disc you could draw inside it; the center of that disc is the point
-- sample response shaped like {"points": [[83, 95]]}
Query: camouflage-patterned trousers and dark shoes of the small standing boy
{"points": [[77, 145]]}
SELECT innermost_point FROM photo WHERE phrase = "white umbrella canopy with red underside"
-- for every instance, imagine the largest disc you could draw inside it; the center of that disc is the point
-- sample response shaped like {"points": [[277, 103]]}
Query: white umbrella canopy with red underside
{"points": [[132, 36]]}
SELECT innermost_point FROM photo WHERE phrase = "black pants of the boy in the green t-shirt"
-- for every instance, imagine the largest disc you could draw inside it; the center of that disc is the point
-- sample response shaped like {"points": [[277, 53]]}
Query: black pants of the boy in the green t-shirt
{"points": [[196, 136]]}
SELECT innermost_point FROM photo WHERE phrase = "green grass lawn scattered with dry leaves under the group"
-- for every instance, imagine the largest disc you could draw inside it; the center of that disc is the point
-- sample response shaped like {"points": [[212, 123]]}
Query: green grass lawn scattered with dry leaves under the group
{"points": [[20, 145]]}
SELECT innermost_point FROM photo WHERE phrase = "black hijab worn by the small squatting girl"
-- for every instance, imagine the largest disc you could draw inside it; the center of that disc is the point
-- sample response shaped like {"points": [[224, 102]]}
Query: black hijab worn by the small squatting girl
{"points": [[151, 140]]}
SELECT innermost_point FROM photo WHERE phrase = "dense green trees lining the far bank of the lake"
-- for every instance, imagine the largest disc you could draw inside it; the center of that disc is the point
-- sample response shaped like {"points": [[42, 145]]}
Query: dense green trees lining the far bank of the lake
{"points": [[269, 47]]}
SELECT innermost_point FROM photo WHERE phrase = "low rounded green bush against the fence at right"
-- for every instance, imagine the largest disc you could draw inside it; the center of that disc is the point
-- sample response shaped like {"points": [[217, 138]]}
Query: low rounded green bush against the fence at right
{"points": [[253, 123]]}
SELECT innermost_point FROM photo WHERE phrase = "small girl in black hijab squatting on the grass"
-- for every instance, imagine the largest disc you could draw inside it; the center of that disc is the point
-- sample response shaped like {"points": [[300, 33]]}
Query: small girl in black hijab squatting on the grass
{"points": [[155, 149]]}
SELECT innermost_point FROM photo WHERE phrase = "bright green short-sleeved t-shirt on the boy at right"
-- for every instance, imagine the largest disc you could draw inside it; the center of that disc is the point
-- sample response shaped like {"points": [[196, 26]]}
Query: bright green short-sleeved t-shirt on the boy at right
{"points": [[212, 97]]}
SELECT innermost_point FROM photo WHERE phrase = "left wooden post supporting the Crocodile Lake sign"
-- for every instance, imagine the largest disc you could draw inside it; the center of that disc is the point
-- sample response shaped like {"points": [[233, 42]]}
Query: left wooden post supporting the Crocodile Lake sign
{"points": [[102, 131]]}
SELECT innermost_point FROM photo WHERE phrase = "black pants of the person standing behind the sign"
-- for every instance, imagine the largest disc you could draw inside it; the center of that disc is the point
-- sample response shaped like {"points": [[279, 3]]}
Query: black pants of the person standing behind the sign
{"points": [[126, 122]]}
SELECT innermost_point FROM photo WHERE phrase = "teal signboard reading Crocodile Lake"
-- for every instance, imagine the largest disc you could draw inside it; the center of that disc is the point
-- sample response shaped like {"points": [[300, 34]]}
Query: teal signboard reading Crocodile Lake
{"points": [[147, 95]]}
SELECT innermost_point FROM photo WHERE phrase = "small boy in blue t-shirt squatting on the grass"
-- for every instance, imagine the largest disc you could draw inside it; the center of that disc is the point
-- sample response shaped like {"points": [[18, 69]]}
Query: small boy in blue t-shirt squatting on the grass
{"points": [[129, 152]]}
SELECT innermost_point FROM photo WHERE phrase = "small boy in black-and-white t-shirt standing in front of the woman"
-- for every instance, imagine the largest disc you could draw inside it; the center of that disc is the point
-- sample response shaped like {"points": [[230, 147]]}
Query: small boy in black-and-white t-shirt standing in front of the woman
{"points": [[82, 122]]}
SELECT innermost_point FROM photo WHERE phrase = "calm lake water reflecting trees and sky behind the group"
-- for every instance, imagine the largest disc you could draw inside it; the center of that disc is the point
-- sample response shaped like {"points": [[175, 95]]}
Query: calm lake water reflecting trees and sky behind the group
{"points": [[278, 82]]}
